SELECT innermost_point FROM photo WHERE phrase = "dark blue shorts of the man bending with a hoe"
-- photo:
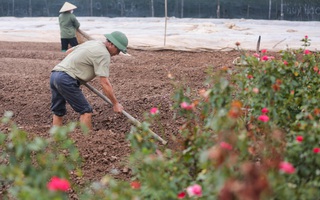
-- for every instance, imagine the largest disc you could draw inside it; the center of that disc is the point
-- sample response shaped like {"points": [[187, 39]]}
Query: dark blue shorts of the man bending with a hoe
{"points": [[64, 89]]}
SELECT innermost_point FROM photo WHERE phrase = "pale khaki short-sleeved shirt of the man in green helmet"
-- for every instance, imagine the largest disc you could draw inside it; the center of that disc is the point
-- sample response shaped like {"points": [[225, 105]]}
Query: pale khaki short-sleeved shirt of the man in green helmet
{"points": [[86, 61]]}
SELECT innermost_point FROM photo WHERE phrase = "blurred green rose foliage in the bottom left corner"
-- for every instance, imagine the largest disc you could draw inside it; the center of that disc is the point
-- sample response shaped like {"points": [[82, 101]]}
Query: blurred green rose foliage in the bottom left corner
{"points": [[28, 163]]}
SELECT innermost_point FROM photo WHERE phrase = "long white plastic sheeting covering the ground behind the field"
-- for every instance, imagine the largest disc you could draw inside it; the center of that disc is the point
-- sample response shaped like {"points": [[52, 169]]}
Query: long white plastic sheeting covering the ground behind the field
{"points": [[181, 34]]}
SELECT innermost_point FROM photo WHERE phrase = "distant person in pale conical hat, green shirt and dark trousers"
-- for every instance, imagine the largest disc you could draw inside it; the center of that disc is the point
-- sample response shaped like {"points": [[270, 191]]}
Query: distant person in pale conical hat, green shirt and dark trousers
{"points": [[68, 26]]}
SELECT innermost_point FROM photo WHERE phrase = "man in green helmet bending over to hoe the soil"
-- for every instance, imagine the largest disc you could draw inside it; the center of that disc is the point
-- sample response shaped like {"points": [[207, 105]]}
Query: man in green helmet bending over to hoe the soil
{"points": [[83, 63]]}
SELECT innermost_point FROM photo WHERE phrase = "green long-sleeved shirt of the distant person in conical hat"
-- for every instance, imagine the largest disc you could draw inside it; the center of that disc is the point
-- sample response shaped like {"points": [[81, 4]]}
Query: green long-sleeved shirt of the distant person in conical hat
{"points": [[68, 25]]}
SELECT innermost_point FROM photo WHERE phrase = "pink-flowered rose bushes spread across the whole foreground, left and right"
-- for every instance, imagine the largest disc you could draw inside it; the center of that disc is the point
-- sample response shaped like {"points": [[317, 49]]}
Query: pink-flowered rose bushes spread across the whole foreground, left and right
{"points": [[254, 135]]}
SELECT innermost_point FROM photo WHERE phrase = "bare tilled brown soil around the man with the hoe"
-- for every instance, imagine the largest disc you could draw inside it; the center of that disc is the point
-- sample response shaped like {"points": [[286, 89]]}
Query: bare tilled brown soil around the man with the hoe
{"points": [[140, 82]]}
